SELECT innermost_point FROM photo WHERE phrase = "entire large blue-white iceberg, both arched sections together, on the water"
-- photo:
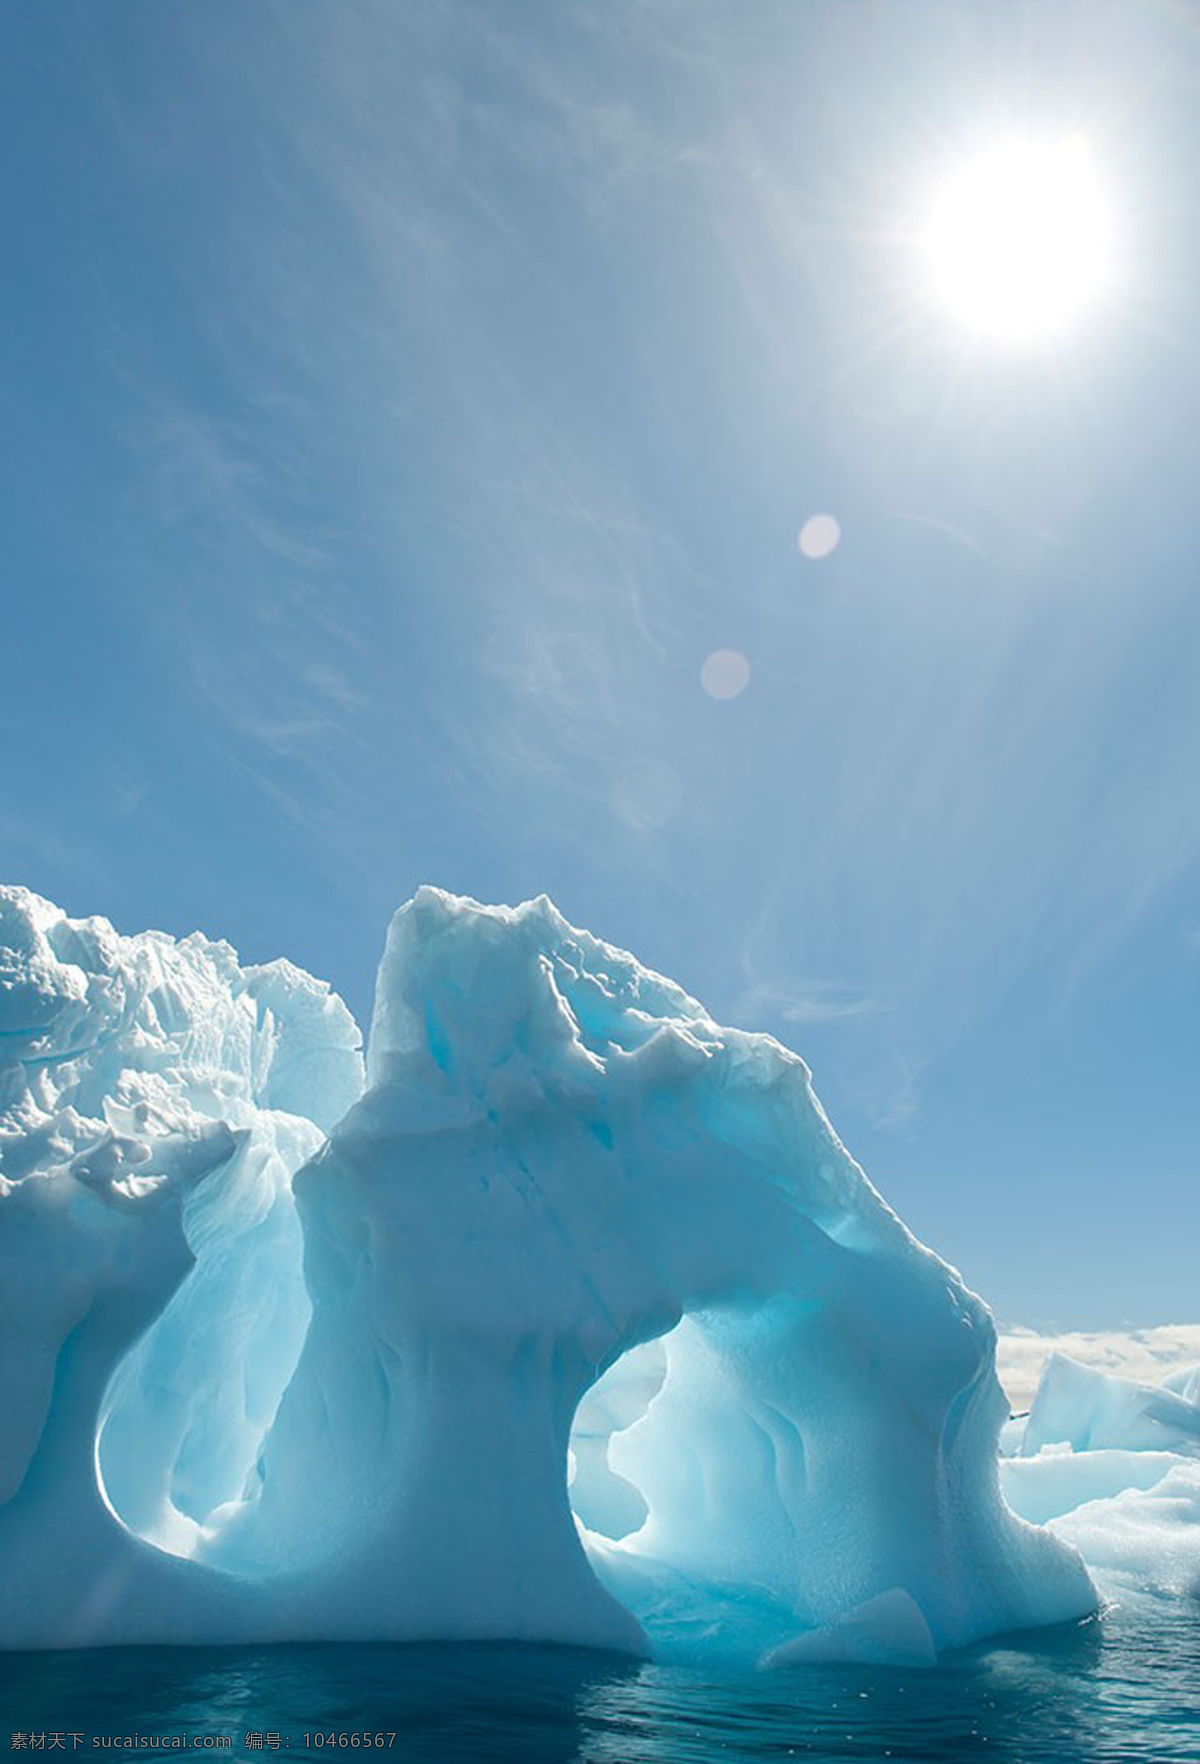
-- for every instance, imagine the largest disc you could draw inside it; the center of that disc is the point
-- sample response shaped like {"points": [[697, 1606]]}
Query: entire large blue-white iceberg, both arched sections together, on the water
{"points": [[576, 1326]]}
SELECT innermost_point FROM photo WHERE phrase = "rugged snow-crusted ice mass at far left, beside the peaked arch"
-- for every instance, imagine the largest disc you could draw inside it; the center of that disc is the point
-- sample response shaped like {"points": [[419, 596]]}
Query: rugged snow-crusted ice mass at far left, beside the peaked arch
{"points": [[156, 1100]]}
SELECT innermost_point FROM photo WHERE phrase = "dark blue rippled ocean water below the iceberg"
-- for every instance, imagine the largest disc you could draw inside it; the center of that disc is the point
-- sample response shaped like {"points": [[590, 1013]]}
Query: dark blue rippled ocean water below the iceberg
{"points": [[1125, 1687]]}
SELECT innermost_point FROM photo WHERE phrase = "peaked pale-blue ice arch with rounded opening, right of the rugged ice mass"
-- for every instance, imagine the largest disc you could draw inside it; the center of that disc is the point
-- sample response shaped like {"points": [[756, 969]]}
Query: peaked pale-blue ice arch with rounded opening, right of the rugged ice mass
{"points": [[559, 1158]]}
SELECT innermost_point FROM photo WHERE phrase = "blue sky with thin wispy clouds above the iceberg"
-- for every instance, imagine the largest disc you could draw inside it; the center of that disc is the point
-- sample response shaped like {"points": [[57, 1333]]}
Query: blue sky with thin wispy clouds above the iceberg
{"points": [[403, 401]]}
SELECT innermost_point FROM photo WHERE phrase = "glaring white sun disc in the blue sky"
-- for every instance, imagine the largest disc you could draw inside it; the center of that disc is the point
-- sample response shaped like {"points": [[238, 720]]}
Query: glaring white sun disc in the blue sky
{"points": [[1019, 239]]}
